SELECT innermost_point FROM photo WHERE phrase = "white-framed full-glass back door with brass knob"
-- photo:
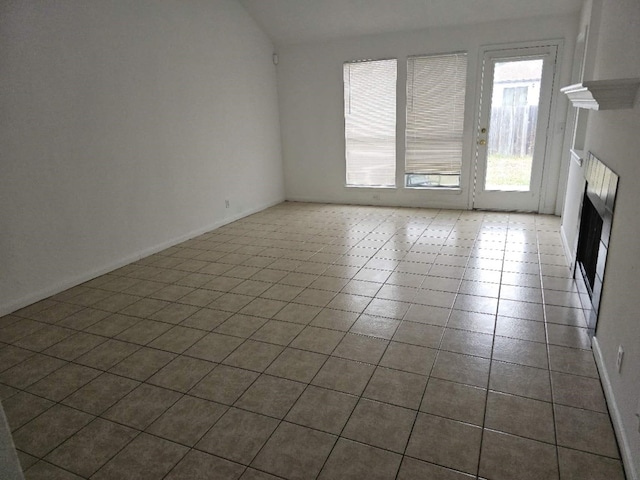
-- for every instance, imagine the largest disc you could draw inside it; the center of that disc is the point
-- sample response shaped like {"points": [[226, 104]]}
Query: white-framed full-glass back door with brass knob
{"points": [[511, 139]]}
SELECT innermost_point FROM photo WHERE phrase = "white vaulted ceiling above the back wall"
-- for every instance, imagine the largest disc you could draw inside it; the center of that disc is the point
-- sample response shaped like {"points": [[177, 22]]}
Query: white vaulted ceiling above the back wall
{"points": [[299, 21]]}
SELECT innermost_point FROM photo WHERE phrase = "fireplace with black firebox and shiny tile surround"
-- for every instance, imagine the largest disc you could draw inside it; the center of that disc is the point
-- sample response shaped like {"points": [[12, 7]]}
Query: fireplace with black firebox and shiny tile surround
{"points": [[596, 218]]}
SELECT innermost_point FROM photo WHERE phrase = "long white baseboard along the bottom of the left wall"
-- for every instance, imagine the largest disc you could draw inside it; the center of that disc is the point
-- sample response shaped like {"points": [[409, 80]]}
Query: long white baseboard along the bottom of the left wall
{"points": [[121, 262]]}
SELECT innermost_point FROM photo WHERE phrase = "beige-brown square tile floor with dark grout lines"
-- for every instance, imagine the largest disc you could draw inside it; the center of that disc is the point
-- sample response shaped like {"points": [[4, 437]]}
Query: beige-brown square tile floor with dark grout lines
{"points": [[317, 341]]}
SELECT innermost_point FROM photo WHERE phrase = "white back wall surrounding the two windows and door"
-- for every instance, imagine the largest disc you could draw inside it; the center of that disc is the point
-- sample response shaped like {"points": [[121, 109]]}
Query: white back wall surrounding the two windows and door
{"points": [[311, 107]]}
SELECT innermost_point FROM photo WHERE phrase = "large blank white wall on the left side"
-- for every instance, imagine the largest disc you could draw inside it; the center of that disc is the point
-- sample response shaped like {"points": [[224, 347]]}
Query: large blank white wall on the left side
{"points": [[124, 127]]}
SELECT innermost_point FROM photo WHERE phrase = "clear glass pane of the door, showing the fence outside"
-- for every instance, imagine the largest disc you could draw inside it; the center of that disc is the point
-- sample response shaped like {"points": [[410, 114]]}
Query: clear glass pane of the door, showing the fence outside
{"points": [[512, 127]]}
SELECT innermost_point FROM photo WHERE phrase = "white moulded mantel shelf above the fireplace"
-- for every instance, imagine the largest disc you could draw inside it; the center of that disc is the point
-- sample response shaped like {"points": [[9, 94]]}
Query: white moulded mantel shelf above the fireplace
{"points": [[603, 94]]}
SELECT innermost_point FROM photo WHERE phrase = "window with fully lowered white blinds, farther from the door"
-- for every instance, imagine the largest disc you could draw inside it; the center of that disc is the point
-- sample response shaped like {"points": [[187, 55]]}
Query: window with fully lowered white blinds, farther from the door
{"points": [[370, 122]]}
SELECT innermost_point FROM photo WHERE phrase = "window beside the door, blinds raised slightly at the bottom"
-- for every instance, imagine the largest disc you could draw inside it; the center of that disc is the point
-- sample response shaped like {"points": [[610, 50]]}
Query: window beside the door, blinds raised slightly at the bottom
{"points": [[435, 117]]}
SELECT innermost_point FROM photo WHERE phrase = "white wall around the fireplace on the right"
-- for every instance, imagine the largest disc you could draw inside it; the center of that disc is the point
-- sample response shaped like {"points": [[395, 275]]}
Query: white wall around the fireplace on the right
{"points": [[613, 137]]}
